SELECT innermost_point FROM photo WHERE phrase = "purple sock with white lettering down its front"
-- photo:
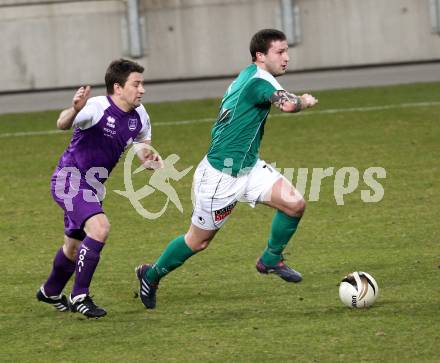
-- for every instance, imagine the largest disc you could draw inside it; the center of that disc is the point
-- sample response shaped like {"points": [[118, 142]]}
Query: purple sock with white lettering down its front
{"points": [[87, 259]]}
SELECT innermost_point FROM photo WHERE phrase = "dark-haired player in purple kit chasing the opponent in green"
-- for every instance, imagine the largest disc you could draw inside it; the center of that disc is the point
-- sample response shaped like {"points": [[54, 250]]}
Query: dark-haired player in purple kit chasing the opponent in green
{"points": [[103, 127]]}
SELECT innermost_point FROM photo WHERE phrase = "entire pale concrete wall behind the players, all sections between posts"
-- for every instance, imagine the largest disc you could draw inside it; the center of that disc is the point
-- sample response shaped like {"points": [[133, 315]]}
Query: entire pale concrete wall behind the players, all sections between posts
{"points": [[66, 43]]}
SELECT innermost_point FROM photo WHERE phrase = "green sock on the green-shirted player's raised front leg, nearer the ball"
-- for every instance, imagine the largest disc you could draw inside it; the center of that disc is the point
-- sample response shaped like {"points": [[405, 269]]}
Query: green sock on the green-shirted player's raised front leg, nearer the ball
{"points": [[283, 228]]}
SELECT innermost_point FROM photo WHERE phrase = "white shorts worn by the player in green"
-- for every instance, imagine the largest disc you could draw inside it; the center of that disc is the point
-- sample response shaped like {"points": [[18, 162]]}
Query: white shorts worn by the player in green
{"points": [[215, 194]]}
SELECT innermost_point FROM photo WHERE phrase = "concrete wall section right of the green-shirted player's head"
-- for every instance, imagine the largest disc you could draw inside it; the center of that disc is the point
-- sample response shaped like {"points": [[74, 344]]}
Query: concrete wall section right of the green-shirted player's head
{"points": [[345, 33]]}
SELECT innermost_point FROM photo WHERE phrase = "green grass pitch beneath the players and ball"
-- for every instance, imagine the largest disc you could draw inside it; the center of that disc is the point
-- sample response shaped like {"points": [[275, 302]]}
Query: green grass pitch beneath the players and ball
{"points": [[216, 308]]}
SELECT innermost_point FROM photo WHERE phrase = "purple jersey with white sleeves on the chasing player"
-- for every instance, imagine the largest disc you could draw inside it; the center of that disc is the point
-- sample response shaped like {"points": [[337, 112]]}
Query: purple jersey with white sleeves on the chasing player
{"points": [[102, 131]]}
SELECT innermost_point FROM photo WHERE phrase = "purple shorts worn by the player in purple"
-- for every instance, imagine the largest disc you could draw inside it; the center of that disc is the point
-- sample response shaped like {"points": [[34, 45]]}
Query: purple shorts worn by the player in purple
{"points": [[78, 200]]}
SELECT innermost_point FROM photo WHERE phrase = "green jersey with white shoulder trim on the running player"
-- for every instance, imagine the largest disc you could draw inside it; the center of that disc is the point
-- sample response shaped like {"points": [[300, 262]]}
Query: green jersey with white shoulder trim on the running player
{"points": [[239, 128]]}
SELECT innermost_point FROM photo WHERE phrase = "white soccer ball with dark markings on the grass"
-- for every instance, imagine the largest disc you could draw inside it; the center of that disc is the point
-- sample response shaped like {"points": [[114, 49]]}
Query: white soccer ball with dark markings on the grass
{"points": [[358, 290]]}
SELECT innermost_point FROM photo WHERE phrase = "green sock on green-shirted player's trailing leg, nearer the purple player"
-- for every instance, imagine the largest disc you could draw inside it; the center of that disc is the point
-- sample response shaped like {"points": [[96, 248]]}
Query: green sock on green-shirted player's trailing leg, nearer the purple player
{"points": [[175, 254]]}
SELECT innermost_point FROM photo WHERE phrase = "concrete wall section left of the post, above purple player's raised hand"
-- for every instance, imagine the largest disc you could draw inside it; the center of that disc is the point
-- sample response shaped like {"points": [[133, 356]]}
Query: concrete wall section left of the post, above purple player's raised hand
{"points": [[45, 46]]}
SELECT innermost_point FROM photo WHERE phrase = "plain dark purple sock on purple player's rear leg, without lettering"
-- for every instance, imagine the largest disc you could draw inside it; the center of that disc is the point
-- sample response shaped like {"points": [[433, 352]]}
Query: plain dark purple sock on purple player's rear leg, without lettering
{"points": [[62, 270]]}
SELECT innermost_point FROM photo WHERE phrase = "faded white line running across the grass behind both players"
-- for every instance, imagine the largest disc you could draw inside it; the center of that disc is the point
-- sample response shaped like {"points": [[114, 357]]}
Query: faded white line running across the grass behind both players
{"points": [[203, 120]]}
